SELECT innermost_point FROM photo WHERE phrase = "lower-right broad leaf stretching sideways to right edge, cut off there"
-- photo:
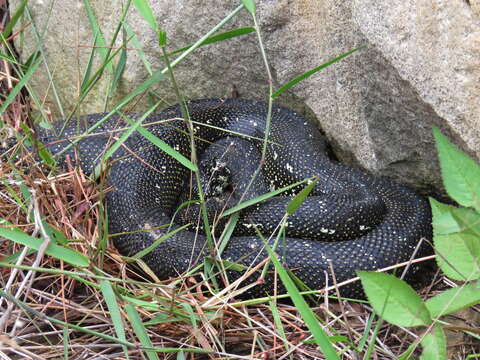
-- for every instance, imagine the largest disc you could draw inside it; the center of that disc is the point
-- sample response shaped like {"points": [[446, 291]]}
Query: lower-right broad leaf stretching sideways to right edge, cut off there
{"points": [[452, 300]]}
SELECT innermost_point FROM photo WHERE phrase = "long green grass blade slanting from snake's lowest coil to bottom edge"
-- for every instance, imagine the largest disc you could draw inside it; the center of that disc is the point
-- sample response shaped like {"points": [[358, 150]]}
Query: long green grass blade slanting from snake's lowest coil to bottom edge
{"points": [[307, 314]]}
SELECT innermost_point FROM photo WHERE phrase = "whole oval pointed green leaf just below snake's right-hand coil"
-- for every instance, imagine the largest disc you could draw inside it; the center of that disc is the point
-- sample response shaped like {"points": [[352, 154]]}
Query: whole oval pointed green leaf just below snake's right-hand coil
{"points": [[394, 300]]}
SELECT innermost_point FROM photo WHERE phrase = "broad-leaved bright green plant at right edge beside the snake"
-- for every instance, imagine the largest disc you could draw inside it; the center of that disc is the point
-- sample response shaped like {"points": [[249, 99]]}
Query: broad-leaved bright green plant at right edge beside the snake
{"points": [[457, 245]]}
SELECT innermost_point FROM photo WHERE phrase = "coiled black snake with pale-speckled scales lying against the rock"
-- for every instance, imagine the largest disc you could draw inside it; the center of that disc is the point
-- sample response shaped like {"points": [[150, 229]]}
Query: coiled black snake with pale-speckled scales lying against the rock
{"points": [[350, 221]]}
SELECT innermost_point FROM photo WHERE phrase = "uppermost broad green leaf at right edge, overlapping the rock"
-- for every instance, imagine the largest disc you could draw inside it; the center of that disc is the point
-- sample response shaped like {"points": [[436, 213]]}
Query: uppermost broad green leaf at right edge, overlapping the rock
{"points": [[460, 173]]}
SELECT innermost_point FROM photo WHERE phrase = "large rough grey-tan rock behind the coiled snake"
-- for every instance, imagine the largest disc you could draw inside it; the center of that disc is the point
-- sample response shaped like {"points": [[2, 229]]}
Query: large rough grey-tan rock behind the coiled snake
{"points": [[420, 68]]}
